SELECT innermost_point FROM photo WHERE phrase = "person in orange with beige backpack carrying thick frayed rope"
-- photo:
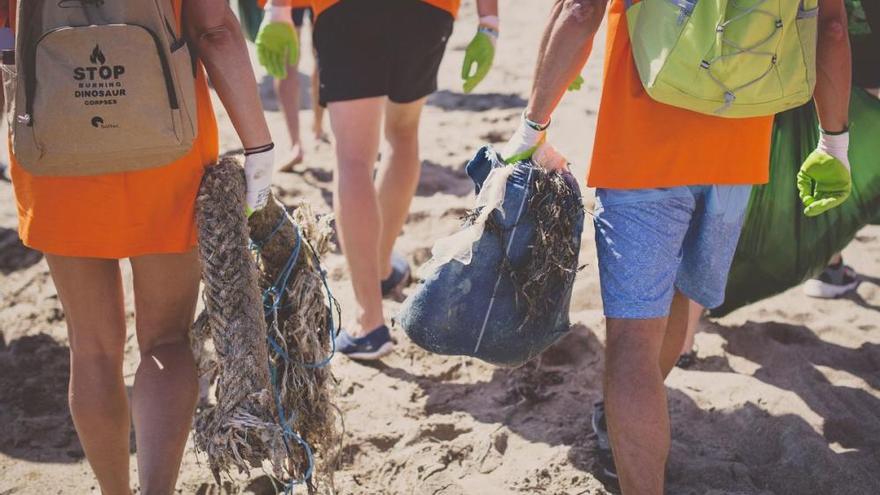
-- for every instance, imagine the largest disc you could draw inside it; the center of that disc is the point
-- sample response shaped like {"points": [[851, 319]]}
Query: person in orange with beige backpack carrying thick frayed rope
{"points": [[86, 223]]}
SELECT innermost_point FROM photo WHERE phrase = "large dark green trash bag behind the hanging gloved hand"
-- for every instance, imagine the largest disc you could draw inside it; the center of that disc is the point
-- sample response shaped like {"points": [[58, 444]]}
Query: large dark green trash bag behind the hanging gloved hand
{"points": [[780, 247]]}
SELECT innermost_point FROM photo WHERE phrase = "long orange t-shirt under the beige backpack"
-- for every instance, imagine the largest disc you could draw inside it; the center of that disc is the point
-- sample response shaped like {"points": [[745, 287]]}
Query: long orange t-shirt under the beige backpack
{"points": [[119, 215]]}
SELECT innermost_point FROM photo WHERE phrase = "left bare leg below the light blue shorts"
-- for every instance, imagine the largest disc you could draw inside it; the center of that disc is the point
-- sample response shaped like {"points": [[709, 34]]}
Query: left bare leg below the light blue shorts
{"points": [[635, 401]]}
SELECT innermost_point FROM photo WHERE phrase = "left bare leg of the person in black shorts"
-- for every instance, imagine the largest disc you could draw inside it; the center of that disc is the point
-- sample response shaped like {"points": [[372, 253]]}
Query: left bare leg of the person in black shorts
{"points": [[356, 127]]}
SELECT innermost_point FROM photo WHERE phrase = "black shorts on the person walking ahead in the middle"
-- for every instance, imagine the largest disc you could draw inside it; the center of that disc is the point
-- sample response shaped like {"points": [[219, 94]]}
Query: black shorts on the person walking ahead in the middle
{"points": [[387, 48]]}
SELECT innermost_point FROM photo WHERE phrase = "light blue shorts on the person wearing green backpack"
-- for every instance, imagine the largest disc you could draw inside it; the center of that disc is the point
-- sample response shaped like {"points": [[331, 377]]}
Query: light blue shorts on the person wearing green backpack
{"points": [[651, 242]]}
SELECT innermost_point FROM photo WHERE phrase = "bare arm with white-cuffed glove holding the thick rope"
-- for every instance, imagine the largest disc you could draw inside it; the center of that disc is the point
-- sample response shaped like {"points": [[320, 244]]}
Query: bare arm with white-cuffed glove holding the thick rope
{"points": [[215, 36]]}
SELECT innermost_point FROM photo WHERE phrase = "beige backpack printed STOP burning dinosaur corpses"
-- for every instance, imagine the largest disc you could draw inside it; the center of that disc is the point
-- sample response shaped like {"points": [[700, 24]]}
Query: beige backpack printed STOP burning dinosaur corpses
{"points": [[100, 86]]}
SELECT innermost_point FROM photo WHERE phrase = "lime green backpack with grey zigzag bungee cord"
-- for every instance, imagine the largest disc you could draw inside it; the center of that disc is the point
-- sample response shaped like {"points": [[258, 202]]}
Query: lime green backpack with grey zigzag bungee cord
{"points": [[729, 58]]}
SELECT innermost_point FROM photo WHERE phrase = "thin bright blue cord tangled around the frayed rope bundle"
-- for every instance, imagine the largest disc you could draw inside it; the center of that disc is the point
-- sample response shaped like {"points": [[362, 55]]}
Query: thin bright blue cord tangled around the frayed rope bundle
{"points": [[273, 300]]}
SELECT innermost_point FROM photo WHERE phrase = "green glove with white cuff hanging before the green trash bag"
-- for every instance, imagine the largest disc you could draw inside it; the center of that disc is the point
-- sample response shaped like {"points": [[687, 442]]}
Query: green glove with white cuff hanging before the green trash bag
{"points": [[824, 180]]}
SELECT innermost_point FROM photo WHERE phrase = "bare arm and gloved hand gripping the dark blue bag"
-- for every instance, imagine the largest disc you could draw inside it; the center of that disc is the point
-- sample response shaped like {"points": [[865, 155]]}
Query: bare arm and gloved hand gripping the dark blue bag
{"points": [[565, 48]]}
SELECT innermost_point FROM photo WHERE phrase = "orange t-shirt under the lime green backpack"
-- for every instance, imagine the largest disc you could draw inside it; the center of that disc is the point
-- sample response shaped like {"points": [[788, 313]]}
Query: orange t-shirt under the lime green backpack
{"points": [[641, 143]]}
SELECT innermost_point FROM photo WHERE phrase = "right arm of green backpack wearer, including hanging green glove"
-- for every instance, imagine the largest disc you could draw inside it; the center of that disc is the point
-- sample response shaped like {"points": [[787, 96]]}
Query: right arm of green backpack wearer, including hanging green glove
{"points": [[824, 180]]}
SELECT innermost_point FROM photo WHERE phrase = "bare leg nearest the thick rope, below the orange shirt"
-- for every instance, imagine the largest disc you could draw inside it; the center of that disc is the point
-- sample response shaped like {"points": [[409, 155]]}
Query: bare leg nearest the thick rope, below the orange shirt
{"points": [[166, 385]]}
